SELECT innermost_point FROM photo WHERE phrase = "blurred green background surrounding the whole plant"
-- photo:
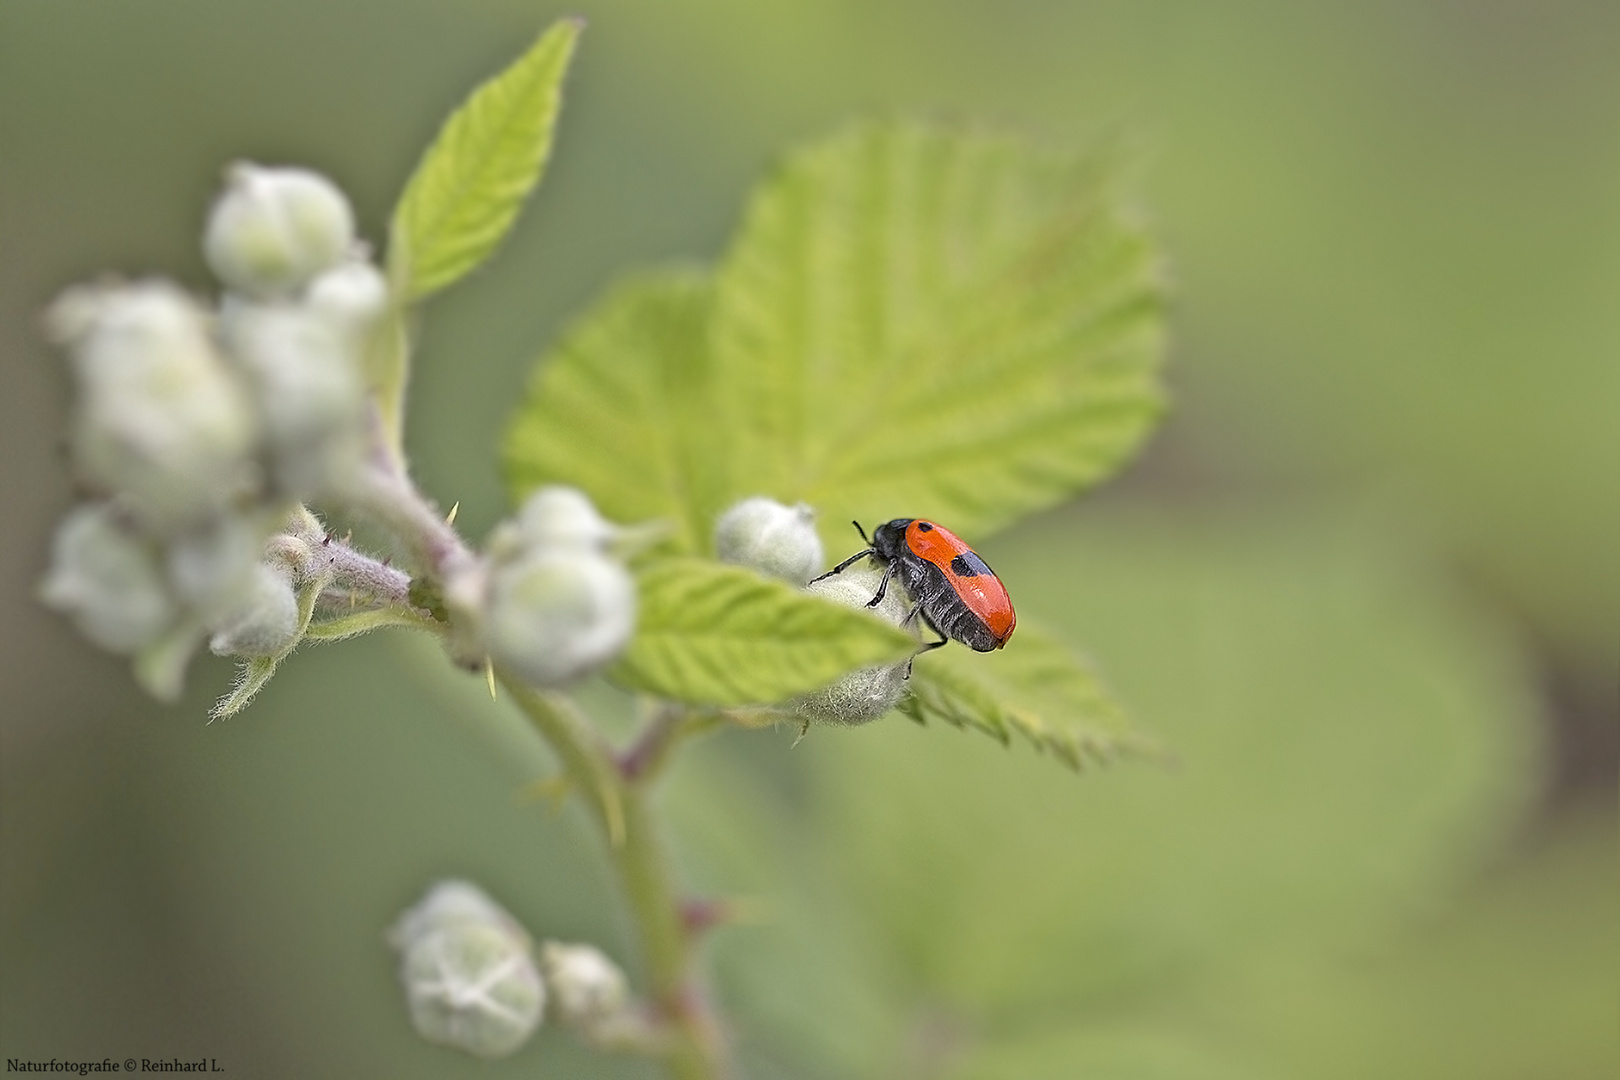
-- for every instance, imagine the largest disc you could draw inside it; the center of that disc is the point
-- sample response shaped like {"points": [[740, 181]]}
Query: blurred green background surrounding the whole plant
{"points": [[1366, 580]]}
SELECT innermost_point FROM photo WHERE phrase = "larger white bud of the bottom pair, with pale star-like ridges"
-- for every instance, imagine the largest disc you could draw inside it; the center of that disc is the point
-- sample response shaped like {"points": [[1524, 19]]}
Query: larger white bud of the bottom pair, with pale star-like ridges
{"points": [[469, 974]]}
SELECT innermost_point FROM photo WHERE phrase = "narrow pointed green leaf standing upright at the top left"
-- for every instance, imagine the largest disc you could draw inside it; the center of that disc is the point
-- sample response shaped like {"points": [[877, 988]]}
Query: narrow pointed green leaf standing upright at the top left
{"points": [[472, 182]]}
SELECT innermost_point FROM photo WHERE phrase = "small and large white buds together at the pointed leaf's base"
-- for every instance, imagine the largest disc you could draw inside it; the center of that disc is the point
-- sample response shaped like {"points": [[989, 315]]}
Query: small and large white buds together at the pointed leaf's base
{"points": [[556, 603]]}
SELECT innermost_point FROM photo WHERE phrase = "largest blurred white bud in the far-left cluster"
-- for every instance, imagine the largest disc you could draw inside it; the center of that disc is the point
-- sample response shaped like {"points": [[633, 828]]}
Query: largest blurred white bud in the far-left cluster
{"points": [[160, 417]]}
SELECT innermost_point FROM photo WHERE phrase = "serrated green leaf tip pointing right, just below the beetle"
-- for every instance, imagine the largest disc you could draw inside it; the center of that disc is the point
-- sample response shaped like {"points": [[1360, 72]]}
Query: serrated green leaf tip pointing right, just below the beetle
{"points": [[1036, 687]]}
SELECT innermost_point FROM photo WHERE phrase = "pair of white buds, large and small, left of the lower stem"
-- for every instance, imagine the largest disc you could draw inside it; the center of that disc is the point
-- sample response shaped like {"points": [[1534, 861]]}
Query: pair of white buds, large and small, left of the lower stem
{"points": [[472, 980]]}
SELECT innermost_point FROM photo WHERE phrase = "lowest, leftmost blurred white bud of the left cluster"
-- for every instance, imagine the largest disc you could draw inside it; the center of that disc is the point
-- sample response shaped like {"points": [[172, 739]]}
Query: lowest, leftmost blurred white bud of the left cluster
{"points": [[108, 580]]}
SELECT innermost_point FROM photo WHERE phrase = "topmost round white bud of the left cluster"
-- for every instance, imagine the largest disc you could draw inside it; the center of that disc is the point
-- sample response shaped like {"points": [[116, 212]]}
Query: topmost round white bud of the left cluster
{"points": [[275, 229]]}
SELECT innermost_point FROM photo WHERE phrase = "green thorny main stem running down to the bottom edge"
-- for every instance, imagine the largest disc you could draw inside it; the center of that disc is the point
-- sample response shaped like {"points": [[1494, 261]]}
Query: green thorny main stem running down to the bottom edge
{"points": [[620, 802]]}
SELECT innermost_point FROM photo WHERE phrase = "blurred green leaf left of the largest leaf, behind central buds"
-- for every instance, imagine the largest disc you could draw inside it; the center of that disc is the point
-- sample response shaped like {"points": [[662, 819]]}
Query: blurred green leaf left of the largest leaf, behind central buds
{"points": [[618, 410]]}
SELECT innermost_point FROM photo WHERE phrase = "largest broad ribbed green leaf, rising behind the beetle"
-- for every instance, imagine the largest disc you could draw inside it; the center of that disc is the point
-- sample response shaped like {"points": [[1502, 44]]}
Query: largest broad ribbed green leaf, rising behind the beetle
{"points": [[924, 323]]}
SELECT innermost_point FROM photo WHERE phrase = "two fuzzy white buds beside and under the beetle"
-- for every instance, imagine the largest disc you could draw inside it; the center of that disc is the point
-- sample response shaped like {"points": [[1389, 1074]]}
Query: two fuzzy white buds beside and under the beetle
{"points": [[783, 543]]}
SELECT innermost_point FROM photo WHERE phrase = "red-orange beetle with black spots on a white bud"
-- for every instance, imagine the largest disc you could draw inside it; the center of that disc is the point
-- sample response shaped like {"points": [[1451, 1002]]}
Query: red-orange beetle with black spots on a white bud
{"points": [[953, 590]]}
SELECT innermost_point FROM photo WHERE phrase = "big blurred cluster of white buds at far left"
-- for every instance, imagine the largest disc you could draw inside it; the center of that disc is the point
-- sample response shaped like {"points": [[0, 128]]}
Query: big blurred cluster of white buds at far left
{"points": [[197, 433]]}
